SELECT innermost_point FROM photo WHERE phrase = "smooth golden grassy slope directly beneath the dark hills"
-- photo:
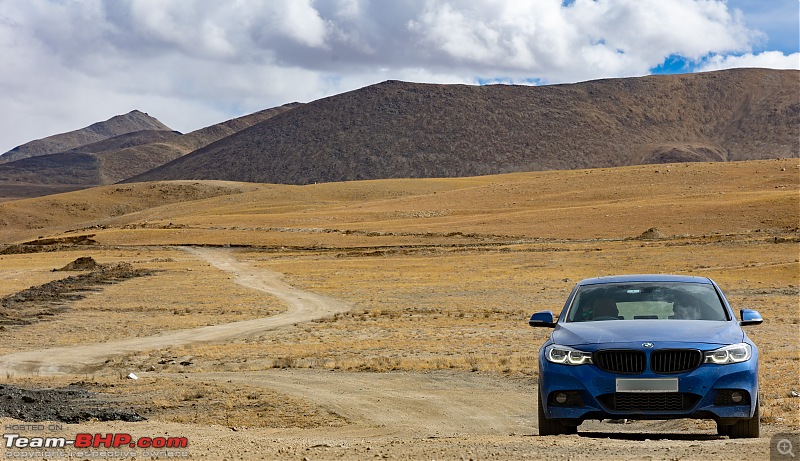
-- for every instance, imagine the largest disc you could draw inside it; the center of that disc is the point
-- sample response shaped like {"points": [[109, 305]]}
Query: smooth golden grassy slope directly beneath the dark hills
{"points": [[687, 199]]}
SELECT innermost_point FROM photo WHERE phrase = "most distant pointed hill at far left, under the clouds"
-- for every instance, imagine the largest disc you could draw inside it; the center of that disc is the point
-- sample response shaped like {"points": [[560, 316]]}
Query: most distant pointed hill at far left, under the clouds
{"points": [[115, 126]]}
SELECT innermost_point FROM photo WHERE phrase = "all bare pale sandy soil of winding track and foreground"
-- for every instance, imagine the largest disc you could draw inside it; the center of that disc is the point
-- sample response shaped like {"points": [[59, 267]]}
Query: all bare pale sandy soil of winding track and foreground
{"points": [[406, 415]]}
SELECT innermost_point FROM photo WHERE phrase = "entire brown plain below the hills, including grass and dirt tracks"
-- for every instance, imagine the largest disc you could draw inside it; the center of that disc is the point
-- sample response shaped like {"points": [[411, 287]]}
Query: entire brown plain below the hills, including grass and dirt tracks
{"points": [[377, 318]]}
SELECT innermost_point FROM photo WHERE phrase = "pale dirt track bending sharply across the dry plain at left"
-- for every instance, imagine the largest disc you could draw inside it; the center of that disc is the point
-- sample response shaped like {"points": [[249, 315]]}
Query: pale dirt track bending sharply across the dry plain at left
{"points": [[302, 306]]}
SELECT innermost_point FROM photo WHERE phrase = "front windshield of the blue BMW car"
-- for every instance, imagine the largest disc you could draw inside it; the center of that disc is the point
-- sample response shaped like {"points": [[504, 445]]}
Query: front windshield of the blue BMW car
{"points": [[646, 300]]}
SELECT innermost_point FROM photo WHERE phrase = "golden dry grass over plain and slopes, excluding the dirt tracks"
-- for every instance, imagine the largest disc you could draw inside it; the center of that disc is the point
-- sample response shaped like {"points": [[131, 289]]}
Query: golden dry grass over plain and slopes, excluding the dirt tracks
{"points": [[442, 274]]}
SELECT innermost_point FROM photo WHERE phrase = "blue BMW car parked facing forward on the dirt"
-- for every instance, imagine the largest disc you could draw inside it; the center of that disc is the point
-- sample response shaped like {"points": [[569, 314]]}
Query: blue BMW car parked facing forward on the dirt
{"points": [[648, 347]]}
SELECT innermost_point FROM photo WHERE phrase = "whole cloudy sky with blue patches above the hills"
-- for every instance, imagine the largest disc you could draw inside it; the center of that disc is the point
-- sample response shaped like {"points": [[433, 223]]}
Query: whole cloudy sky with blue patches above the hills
{"points": [[193, 63]]}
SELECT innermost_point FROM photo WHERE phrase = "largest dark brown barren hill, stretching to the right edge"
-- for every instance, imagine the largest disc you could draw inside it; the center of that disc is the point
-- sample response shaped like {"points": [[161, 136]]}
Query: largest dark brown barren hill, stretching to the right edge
{"points": [[396, 129]]}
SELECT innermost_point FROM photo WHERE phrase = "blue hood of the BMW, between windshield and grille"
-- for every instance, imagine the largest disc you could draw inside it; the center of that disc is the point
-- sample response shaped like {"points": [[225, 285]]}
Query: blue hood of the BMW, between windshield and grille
{"points": [[627, 331]]}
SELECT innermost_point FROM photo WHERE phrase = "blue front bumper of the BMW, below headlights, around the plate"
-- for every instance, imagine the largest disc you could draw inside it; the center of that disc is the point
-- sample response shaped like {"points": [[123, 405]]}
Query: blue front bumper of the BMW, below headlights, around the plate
{"points": [[703, 393]]}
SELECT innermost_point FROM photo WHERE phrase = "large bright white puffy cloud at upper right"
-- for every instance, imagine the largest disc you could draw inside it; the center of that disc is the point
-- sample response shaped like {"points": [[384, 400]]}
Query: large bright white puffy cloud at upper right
{"points": [[587, 39]]}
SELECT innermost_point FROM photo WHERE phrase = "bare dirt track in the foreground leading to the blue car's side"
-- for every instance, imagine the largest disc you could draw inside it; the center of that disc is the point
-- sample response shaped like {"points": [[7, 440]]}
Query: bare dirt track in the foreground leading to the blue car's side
{"points": [[424, 405]]}
